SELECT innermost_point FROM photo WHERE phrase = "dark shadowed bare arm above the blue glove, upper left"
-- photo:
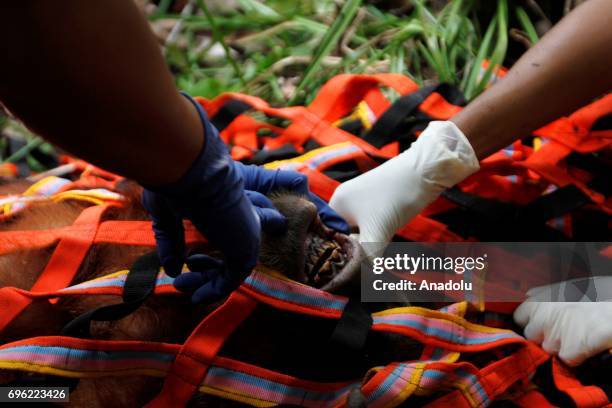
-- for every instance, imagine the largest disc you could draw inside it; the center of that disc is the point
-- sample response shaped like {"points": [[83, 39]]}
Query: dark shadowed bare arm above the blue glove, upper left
{"points": [[89, 76]]}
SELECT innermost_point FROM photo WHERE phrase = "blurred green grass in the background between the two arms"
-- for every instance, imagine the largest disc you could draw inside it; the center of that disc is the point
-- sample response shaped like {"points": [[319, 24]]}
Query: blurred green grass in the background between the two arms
{"points": [[284, 51]]}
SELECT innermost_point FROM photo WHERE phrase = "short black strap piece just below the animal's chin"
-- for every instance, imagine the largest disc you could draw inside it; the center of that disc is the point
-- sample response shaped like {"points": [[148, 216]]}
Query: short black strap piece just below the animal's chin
{"points": [[352, 329]]}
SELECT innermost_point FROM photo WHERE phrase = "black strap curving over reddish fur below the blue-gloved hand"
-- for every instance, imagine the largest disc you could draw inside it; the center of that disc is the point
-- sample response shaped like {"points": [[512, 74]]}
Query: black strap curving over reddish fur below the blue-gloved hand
{"points": [[139, 285]]}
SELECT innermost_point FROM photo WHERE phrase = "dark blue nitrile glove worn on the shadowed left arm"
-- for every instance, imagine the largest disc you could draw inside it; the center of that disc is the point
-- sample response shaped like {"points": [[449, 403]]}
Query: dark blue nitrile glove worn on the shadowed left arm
{"points": [[211, 195]]}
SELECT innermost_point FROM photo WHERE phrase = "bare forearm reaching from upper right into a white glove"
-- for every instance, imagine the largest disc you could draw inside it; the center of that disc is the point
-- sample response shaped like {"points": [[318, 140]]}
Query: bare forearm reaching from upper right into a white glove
{"points": [[569, 67]]}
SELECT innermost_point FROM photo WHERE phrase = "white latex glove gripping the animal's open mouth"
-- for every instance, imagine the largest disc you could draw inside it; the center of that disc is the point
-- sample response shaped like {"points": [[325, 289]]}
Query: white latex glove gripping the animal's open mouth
{"points": [[382, 200]]}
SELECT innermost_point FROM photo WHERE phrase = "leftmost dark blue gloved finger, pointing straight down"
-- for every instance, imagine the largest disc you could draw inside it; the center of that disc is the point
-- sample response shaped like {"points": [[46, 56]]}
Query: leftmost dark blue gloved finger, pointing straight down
{"points": [[169, 232]]}
